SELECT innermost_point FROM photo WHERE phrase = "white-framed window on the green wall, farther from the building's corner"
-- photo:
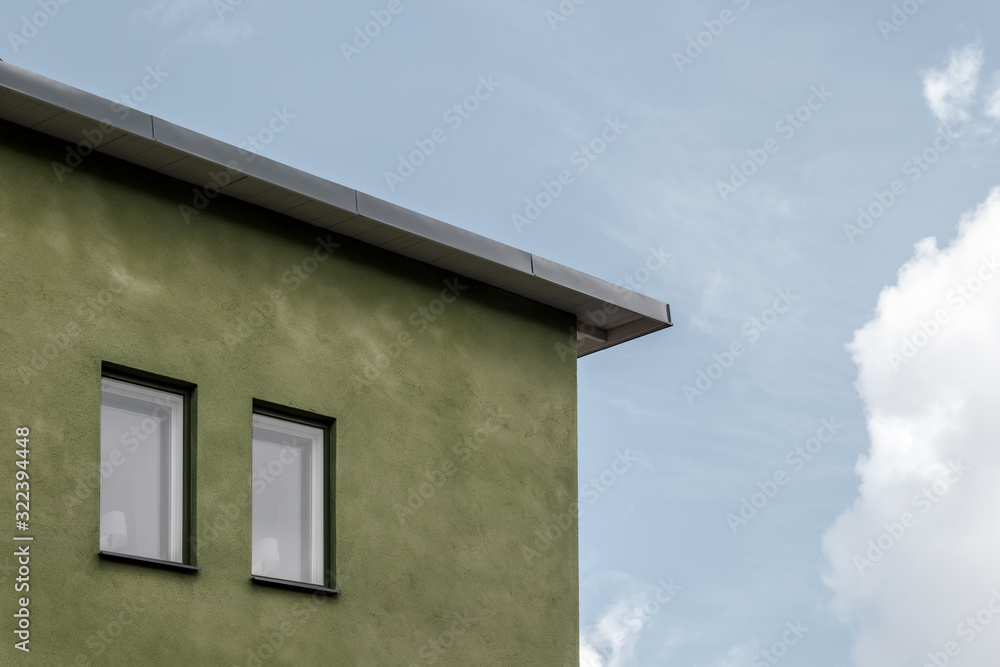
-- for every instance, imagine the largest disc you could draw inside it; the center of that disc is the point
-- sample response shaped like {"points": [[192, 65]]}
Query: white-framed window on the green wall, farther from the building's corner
{"points": [[142, 470]]}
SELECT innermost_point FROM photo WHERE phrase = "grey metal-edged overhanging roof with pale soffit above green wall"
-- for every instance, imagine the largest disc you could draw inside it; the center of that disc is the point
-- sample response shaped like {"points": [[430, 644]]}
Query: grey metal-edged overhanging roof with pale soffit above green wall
{"points": [[607, 314]]}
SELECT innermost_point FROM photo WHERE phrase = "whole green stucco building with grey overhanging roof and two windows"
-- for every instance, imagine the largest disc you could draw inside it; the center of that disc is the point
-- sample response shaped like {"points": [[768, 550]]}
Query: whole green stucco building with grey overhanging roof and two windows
{"points": [[256, 417]]}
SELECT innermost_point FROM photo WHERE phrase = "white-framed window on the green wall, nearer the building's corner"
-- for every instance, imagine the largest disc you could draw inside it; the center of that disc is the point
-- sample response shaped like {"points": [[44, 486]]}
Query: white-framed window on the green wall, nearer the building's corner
{"points": [[289, 524]]}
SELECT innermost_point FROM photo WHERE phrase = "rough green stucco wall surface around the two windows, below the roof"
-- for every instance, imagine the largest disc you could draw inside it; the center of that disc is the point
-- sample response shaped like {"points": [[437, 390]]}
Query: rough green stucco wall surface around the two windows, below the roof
{"points": [[102, 268]]}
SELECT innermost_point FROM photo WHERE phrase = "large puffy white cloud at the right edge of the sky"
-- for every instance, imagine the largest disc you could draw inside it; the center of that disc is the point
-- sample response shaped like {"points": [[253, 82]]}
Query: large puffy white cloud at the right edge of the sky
{"points": [[929, 376]]}
